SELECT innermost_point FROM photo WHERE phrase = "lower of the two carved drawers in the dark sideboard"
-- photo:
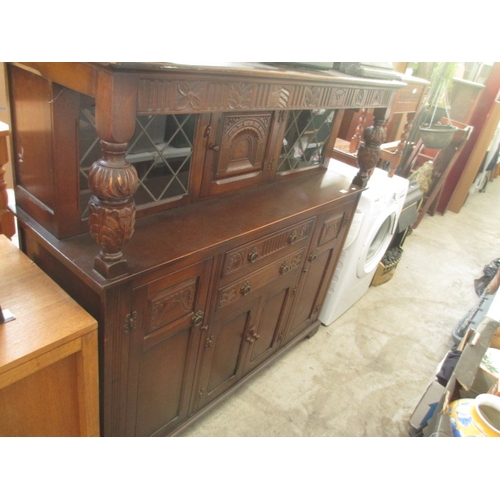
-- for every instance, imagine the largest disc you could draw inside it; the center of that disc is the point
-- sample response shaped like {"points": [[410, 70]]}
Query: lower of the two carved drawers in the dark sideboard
{"points": [[239, 289]]}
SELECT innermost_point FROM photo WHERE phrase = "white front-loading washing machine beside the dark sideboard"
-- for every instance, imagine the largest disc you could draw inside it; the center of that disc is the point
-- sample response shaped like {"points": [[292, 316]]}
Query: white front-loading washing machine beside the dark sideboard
{"points": [[372, 229]]}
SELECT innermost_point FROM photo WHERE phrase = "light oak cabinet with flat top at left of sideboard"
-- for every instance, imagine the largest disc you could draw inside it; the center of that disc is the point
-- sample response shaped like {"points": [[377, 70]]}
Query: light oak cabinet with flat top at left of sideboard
{"points": [[48, 355]]}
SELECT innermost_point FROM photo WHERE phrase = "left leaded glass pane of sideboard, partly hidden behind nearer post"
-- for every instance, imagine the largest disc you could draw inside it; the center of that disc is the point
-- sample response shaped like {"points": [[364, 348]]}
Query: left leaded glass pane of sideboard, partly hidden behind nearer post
{"points": [[161, 152]]}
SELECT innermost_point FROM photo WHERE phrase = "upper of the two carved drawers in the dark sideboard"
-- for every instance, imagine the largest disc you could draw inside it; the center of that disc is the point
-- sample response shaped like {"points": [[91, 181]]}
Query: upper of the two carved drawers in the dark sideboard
{"points": [[255, 254]]}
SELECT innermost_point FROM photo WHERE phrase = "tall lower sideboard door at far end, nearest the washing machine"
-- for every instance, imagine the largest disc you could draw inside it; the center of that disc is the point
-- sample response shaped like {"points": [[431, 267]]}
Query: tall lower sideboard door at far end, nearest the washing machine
{"points": [[320, 264]]}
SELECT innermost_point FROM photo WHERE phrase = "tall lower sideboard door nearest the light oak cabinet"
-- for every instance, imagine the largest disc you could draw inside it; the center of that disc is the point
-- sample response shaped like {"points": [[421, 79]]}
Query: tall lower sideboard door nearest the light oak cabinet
{"points": [[170, 316]]}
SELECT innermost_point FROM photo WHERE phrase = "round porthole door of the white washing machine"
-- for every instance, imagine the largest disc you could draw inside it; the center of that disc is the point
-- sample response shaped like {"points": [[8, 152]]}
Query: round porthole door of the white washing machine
{"points": [[376, 243]]}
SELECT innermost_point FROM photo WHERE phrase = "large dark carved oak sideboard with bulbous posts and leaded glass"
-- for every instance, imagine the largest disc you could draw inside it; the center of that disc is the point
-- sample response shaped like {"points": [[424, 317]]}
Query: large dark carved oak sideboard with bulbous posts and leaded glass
{"points": [[214, 223]]}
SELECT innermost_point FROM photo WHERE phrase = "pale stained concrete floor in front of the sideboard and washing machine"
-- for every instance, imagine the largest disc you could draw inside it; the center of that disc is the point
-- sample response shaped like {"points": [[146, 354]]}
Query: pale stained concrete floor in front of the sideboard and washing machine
{"points": [[364, 374]]}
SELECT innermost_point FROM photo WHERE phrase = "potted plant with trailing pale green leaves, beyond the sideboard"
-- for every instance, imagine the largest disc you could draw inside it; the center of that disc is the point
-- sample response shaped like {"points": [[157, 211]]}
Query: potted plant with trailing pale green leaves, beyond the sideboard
{"points": [[436, 135]]}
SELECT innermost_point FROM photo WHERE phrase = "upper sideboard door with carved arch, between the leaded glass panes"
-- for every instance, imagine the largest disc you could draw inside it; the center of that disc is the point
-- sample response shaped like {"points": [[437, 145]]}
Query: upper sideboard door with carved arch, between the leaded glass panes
{"points": [[241, 151]]}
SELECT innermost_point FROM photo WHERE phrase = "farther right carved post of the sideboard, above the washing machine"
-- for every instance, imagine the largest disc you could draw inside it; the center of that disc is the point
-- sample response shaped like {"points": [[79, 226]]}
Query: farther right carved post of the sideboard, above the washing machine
{"points": [[369, 151]]}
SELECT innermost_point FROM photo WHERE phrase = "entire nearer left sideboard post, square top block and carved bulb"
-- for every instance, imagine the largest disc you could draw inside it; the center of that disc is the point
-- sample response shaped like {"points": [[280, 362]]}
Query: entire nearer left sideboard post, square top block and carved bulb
{"points": [[112, 180]]}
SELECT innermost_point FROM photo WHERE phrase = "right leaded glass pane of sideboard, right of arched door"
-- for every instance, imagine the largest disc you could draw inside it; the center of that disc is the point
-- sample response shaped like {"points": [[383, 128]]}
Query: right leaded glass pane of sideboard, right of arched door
{"points": [[305, 137]]}
